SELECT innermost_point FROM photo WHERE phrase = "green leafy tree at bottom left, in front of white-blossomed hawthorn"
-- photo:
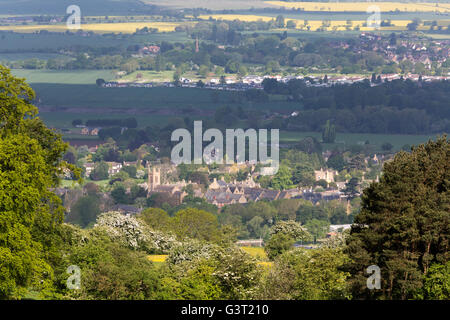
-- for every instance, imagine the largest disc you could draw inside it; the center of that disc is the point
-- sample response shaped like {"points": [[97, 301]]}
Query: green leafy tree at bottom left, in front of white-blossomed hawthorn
{"points": [[111, 271]]}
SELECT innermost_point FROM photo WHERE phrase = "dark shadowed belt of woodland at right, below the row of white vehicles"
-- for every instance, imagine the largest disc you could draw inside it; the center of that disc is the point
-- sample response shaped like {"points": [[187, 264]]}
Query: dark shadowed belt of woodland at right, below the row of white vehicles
{"points": [[391, 107]]}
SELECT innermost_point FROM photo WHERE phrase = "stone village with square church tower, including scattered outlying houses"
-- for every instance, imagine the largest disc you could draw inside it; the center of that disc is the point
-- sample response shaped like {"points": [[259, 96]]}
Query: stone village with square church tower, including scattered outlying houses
{"points": [[160, 179]]}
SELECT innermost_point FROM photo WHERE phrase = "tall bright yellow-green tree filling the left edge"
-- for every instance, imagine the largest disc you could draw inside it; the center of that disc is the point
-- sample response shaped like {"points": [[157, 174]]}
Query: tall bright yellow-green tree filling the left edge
{"points": [[30, 213]]}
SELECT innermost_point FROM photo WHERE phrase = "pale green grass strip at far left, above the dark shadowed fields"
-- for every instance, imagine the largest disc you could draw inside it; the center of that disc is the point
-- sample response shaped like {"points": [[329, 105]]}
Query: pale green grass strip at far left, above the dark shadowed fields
{"points": [[63, 77]]}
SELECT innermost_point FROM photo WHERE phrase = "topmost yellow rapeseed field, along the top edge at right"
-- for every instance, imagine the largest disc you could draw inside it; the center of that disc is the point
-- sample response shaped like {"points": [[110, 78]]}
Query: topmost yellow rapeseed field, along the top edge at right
{"points": [[362, 6]]}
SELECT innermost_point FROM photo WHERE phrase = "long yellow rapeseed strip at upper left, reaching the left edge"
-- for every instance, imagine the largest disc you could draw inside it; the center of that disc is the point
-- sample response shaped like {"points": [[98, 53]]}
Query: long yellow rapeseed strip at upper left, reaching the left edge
{"points": [[99, 27]]}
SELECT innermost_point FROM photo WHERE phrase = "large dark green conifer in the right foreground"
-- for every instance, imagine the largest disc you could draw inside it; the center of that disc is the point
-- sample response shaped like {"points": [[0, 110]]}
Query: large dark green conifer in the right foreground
{"points": [[403, 225]]}
